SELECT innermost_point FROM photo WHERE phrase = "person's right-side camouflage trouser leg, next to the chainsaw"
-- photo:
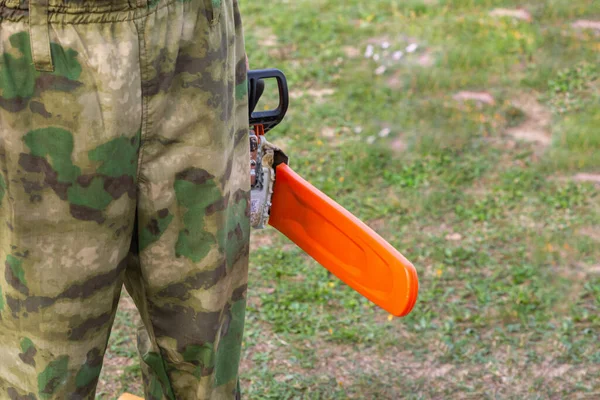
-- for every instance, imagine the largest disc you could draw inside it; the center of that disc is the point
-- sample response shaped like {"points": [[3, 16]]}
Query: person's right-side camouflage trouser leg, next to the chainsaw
{"points": [[193, 203]]}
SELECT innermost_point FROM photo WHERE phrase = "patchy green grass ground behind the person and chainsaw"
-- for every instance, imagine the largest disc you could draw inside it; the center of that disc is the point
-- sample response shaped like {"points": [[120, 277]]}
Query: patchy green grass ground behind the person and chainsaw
{"points": [[505, 239]]}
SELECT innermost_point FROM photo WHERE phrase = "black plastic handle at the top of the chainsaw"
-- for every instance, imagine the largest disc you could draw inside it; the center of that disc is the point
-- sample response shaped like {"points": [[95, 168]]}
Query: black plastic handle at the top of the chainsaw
{"points": [[256, 85]]}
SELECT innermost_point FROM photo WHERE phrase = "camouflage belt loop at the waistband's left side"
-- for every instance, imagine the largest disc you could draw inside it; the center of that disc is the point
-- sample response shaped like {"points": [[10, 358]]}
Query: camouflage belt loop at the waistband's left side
{"points": [[39, 35]]}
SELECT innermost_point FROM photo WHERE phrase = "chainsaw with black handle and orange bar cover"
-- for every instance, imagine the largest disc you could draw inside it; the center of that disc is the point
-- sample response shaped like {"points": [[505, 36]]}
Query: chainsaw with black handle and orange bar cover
{"points": [[326, 231]]}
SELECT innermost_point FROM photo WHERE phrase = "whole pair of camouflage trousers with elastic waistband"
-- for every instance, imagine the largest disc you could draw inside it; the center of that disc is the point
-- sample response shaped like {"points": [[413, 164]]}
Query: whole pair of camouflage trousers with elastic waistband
{"points": [[122, 119]]}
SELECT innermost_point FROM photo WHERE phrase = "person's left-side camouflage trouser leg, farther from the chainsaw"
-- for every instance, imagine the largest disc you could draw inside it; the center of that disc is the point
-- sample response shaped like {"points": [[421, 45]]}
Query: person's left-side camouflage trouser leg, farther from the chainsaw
{"points": [[69, 141]]}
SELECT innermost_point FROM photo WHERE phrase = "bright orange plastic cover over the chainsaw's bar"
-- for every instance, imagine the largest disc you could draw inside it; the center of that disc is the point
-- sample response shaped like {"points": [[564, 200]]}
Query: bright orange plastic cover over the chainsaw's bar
{"points": [[342, 243]]}
